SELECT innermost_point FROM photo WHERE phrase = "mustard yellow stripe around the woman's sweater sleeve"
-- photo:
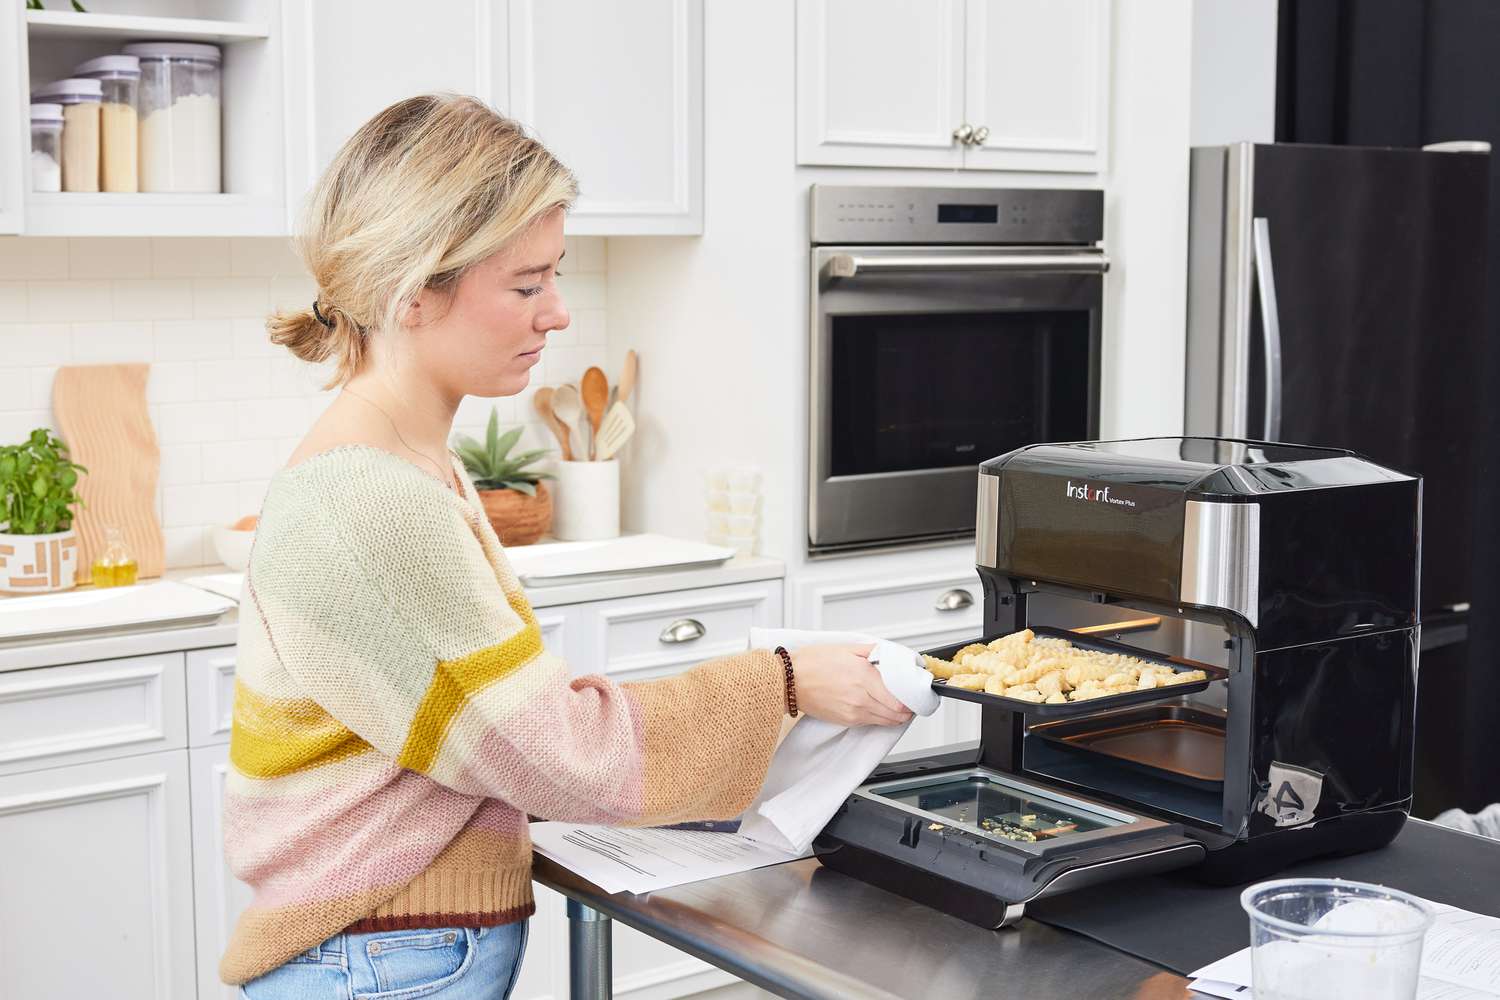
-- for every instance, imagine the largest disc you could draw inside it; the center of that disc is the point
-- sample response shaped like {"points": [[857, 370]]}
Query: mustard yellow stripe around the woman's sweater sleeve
{"points": [[457, 681]]}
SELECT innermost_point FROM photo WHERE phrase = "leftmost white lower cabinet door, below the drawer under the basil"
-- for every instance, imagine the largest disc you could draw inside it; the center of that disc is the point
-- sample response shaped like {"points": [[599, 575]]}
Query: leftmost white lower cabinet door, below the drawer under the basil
{"points": [[97, 882]]}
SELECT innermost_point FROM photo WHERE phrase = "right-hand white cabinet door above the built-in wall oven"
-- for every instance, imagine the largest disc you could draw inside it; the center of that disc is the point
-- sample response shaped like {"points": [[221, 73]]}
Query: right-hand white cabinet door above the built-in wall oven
{"points": [[1039, 82]]}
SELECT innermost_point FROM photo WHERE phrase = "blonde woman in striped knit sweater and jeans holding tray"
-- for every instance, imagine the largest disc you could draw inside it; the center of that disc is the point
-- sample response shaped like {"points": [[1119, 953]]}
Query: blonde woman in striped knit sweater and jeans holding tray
{"points": [[397, 717]]}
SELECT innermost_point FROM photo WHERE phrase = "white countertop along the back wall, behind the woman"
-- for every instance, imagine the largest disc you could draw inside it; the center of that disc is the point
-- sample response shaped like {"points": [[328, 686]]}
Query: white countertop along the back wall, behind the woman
{"points": [[224, 632]]}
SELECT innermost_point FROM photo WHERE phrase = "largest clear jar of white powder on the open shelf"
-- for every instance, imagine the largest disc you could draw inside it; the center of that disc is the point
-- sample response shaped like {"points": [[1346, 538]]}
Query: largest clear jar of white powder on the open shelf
{"points": [[181, 116]]}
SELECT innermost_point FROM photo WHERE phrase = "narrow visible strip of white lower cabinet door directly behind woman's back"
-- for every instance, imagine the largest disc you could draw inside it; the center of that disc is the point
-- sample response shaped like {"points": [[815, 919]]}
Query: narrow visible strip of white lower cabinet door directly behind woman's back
{"points": [[218, 896]]}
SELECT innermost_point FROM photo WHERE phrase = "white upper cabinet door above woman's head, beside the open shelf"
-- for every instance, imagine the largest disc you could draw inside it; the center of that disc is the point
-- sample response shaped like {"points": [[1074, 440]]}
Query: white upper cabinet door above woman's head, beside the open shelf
{"points": [[346, 64]]}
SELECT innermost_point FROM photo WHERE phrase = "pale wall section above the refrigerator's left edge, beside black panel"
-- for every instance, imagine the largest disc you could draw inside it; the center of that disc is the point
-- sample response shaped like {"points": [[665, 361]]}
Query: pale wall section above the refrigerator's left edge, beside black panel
{"points": [[1234, 71]]}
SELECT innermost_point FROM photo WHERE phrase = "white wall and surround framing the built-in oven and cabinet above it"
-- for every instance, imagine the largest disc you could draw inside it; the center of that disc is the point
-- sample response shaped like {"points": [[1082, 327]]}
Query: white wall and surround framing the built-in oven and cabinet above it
{"points": [[722, 322]]}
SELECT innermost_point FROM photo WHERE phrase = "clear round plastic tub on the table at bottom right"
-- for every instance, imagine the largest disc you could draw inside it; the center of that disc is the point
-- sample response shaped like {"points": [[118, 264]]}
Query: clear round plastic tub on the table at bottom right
{"points": [[1324, 938]]}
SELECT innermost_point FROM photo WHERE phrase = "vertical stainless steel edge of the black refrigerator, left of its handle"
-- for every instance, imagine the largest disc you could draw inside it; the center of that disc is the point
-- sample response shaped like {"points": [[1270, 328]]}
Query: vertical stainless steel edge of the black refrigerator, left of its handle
{"points": [[1240, 187]]}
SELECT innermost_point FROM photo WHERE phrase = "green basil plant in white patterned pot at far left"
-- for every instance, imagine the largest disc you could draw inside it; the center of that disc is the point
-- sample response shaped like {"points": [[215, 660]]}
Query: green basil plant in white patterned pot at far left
{"points": [[38, 543]]}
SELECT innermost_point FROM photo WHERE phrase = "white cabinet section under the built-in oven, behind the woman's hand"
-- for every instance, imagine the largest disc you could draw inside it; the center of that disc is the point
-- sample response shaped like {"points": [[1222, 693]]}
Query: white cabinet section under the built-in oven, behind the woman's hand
{"points": [[917, 599]]}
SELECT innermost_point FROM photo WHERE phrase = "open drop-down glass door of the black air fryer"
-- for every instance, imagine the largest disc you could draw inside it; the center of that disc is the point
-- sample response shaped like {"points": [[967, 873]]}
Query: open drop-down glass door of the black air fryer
{"points": [[982, 845]]}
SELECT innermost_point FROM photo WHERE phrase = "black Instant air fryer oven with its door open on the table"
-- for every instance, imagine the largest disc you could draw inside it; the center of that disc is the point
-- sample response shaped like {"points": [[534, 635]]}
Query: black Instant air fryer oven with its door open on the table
{"points": [[1288, 575]]}
